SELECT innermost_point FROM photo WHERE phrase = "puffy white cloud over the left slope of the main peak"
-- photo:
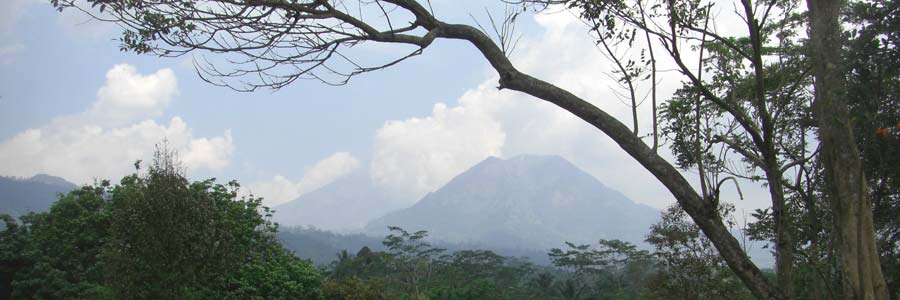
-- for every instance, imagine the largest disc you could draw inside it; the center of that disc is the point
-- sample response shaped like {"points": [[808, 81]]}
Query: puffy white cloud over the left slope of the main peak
{"points": [[418, 155]]}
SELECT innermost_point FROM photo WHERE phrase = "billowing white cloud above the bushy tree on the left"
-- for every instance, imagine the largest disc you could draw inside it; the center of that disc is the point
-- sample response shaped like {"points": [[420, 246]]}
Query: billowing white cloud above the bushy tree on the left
{"points": [[118, 129]]}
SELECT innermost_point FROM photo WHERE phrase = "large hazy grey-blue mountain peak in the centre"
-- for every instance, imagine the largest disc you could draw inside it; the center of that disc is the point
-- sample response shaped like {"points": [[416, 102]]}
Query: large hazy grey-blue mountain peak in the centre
{"points": [[527, 201]]}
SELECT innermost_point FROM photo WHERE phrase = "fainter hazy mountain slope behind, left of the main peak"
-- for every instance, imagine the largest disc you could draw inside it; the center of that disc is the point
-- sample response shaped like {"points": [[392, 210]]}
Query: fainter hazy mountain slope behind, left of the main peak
{"points": [[344, 205]]}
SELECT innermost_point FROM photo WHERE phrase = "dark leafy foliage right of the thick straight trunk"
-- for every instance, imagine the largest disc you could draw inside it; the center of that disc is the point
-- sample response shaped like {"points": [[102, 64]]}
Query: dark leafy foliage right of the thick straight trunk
{"points": [[873, 91]]}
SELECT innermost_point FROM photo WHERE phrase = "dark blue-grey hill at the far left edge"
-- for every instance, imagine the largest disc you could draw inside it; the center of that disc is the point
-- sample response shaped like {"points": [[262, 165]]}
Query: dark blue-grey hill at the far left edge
{"points": [[19, 196]]}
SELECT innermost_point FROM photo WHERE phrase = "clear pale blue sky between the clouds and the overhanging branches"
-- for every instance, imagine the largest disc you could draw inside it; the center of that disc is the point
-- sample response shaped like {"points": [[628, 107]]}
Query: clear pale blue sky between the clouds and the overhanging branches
{"points": [[54, 65]]}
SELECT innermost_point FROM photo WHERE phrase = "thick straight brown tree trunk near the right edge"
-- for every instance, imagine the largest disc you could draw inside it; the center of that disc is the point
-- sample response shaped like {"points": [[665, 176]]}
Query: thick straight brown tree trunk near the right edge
{"points": [[854, 231]]}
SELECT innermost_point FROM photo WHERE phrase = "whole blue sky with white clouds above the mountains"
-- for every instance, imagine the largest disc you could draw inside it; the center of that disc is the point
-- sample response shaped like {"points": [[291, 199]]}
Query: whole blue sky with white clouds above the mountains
{"points": [[73, 105]]}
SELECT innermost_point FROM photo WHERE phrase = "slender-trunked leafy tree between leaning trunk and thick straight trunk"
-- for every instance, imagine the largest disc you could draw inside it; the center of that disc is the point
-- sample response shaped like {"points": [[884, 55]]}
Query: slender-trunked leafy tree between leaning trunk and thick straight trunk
{"points": [[740, 110]]}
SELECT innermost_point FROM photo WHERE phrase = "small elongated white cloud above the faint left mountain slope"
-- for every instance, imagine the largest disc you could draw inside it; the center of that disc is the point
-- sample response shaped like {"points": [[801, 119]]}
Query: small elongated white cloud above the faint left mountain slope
{"points": [[280, 189]]}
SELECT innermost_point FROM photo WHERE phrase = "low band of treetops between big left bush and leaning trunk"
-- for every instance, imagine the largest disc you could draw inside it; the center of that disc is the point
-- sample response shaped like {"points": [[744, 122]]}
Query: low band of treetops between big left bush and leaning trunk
{"points": [[684, 266]]}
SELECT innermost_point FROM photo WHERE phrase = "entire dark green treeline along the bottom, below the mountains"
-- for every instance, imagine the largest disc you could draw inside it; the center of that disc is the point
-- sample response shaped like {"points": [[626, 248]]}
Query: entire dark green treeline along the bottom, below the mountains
{"points": [[155, 235]]}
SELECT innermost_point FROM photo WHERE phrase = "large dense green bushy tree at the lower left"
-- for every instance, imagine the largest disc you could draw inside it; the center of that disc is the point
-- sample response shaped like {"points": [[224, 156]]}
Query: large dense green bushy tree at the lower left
{"points": [[152, 237]]}
